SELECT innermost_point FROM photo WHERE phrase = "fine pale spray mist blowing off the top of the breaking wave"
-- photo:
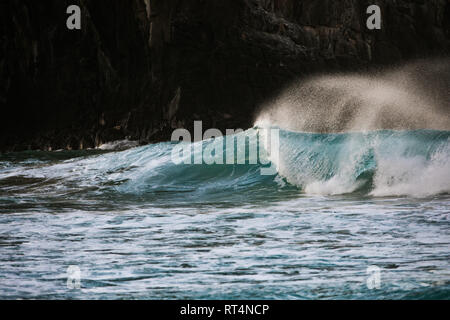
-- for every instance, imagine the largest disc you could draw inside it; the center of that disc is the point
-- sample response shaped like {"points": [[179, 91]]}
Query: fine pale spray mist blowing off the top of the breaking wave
{"points": [[410, 97]]}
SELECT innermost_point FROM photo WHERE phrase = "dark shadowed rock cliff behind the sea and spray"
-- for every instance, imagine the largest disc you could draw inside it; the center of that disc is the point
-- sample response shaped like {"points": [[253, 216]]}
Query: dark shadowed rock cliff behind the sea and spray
{"points": [[141, 68]]}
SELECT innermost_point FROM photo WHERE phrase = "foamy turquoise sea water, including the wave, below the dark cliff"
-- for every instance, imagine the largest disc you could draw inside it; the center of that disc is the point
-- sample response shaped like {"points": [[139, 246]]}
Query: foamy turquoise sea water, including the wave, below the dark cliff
{"points": [[140, 227]]}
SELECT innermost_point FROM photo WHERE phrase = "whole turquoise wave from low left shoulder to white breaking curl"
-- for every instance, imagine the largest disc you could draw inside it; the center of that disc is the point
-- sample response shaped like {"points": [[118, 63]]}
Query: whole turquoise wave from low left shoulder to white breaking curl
{"points": [[378, 163]]}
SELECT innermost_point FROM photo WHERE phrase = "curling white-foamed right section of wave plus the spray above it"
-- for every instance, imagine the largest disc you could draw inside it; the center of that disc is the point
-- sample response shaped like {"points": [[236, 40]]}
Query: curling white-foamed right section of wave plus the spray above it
{"points": [[382, 134]]}
